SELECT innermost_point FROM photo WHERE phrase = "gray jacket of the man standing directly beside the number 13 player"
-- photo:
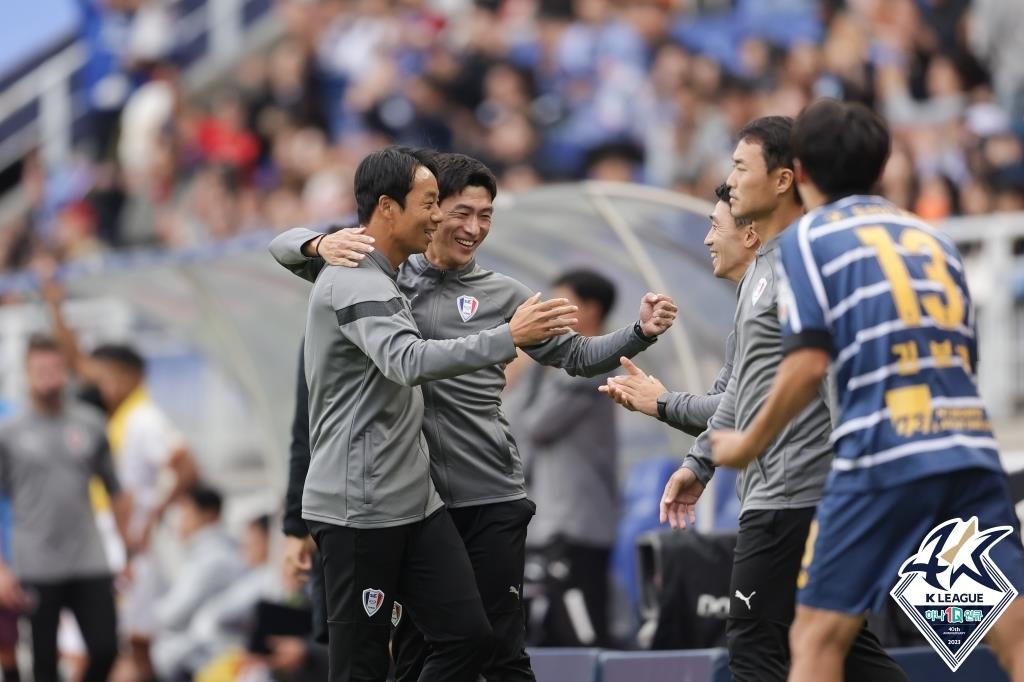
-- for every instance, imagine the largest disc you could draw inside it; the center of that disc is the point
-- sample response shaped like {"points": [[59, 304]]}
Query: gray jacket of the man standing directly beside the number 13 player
{"points": [[792, 473]]}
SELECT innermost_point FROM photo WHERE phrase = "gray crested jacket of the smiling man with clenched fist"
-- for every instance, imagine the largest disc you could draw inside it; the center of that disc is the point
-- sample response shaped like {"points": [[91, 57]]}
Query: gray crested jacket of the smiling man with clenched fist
{"points": [[474, 456]]}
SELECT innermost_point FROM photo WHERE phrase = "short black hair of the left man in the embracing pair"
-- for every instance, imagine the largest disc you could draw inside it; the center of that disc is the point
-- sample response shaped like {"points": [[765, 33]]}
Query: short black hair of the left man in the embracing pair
{"points": [[389, 173]]}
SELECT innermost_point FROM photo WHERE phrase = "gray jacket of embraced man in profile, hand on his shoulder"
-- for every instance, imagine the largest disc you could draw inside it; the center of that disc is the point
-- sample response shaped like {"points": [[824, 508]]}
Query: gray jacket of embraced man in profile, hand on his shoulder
{"points": [[364, 360]]}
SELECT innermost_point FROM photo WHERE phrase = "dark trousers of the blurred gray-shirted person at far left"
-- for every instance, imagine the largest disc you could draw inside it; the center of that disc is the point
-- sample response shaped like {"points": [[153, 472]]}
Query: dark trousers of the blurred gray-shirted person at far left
{"points": [[92, 601]]}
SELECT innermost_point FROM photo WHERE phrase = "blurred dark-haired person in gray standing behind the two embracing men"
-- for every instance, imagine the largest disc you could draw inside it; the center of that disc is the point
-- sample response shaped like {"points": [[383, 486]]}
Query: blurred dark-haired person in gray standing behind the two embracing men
{"points": [[570, 443]]}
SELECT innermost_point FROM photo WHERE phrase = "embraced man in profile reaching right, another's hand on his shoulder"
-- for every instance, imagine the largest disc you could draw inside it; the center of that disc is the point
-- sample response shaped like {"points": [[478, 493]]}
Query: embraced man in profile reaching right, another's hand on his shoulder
{"points": [[369, 500]]}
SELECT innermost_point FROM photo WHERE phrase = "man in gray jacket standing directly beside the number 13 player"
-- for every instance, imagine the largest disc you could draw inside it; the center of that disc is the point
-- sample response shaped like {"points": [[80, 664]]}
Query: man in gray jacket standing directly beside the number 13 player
{"points": [[780, 491]]}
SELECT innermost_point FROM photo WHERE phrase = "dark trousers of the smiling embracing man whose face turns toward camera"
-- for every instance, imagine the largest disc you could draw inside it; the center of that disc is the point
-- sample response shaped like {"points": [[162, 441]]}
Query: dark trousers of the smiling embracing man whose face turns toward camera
{"points": [[496, 541]]}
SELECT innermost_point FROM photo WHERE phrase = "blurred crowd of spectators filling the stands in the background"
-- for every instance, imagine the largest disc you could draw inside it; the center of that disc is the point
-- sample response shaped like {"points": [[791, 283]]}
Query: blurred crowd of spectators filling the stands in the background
{"points": [[542, 91]]}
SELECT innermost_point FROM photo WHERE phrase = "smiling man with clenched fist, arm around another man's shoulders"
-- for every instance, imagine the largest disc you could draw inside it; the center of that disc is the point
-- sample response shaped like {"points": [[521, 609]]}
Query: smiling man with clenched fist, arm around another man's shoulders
{"points": [[475, 461]]}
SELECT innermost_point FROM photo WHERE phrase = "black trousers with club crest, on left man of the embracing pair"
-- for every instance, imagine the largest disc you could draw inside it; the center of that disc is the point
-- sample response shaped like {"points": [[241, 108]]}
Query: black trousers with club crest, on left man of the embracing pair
{"points": [[365, 571]]}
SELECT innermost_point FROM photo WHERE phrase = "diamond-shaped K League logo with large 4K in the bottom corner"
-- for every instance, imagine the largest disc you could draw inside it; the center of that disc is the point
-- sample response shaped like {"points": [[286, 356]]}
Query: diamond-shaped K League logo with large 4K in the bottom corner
{"points": [[952, 590]]}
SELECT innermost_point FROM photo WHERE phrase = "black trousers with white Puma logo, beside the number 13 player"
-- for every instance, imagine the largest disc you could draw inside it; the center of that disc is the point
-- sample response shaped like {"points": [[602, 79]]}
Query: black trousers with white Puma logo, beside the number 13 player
{"points": [[763, 592]]}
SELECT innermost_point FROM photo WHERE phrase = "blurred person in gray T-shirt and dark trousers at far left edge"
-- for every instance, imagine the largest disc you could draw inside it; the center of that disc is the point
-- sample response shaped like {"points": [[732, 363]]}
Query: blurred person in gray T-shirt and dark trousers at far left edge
{"points": [[49, 455]]}
